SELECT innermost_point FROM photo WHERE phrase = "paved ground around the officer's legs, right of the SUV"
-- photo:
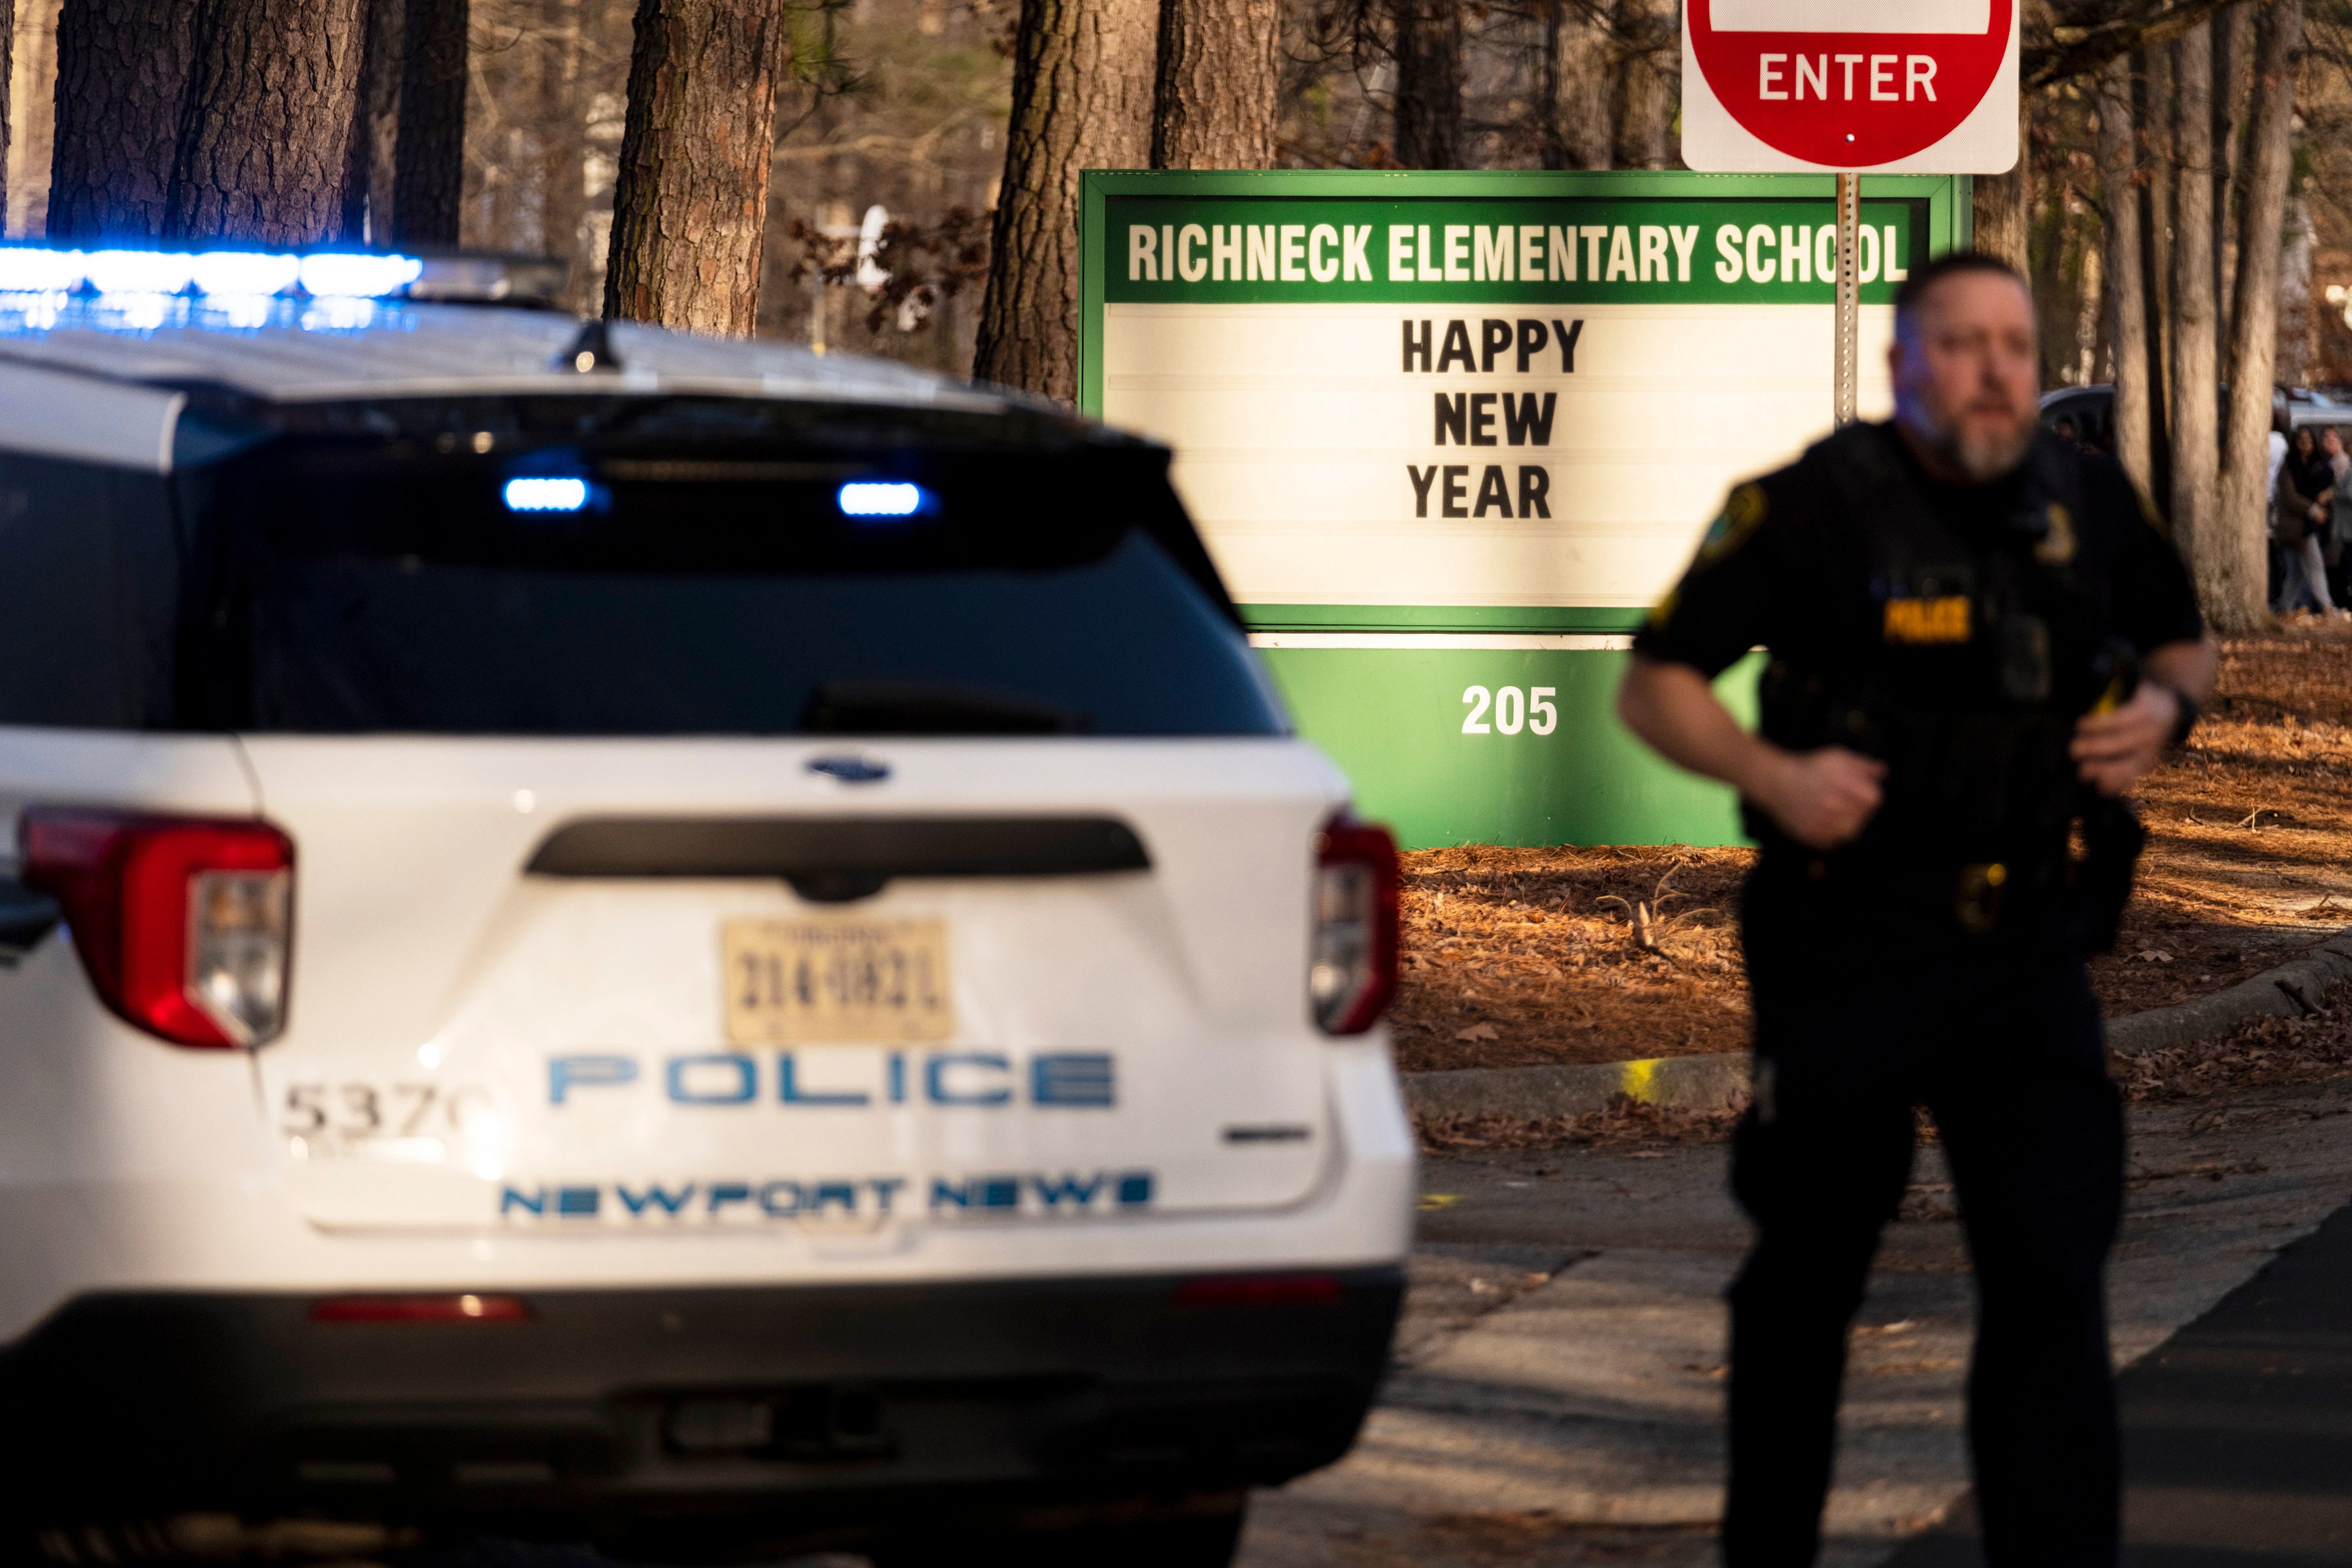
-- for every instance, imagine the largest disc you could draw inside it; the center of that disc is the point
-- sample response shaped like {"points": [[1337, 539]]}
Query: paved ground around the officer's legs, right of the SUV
{"points": [[1558, 1381]]}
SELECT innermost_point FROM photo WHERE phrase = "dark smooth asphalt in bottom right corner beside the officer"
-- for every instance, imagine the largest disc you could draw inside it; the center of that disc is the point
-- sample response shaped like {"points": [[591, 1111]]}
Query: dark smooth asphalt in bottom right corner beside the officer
{"points": [[2238, 1430]]}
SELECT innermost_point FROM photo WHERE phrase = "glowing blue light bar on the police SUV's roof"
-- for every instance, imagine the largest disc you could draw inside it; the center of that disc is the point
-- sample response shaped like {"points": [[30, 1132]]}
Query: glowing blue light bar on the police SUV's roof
{"points": [[250, 274]]}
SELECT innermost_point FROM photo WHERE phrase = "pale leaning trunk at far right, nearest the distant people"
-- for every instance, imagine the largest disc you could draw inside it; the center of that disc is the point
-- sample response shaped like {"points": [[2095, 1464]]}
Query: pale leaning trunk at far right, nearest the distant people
{"points": [[2240, 601]]}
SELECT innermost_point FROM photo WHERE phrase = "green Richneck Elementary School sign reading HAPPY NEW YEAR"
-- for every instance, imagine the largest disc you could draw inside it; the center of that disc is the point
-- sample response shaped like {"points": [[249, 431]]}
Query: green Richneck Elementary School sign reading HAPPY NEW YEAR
{"points": [[1448, 436]]}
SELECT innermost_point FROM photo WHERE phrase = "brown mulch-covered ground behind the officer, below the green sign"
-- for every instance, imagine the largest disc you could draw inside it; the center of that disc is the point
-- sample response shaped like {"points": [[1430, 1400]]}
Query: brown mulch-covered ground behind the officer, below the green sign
{"points": [[1532, 956]]}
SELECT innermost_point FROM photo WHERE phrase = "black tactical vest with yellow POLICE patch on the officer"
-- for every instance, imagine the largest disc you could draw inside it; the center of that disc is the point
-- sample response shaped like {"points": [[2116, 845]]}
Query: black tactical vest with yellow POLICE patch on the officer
{"points": [[1984, 655]]}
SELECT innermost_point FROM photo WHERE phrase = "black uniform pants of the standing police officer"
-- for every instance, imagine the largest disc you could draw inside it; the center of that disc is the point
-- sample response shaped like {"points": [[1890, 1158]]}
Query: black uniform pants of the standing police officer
{"points": [[2007, 1054]]}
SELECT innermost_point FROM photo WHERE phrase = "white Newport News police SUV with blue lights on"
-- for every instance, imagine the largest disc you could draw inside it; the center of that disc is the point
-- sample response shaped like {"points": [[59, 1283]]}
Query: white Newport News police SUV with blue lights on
{"points": [[653, 942]]}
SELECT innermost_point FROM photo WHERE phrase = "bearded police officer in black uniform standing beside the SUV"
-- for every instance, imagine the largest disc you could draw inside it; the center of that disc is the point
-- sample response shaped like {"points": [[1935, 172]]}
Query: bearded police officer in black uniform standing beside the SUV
{"points": [[1977, 641]]}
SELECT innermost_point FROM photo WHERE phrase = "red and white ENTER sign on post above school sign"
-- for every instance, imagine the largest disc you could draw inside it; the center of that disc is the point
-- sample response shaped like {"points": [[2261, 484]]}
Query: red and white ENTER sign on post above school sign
{"points": [[1897, 86]]}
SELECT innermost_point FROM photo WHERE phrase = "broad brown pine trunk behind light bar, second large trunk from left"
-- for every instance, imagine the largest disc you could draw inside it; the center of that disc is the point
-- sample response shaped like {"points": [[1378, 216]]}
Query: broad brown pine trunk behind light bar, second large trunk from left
{"points": [[267, 121]]}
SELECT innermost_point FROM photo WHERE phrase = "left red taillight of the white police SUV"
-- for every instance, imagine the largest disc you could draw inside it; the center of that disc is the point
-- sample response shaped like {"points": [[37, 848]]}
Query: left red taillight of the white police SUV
{"points": [[185, 925]]}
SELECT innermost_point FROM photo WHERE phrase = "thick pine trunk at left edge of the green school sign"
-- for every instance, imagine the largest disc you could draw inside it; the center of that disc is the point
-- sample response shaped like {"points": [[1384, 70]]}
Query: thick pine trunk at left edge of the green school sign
{"points": [[1083, 100]]}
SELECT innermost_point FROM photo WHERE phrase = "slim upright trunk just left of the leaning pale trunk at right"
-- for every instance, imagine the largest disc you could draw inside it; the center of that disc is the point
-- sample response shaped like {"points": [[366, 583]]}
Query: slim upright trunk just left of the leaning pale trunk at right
{"points": [[2196, 361]]}
